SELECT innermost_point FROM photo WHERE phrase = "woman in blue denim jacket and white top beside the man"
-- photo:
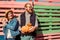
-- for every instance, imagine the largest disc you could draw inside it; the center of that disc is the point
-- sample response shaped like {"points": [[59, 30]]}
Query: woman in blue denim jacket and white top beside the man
{"points": [[11, 25]]}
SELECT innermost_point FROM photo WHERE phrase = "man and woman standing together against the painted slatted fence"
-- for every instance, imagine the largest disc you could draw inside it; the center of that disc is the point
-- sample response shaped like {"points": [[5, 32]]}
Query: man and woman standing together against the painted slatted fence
{"points": [[12, 26]]}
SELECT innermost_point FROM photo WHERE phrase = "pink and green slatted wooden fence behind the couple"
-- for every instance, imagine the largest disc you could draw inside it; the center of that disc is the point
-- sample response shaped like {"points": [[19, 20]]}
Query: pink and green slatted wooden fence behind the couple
{"points": [[48, 15]]}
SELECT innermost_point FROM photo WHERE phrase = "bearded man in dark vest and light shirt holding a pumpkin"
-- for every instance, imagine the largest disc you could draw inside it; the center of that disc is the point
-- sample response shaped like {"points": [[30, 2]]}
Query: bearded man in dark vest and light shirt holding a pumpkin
{"points": [[28, 17]]}
